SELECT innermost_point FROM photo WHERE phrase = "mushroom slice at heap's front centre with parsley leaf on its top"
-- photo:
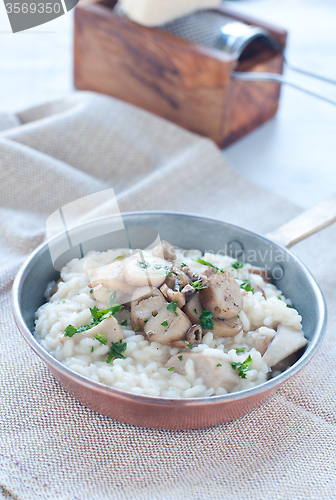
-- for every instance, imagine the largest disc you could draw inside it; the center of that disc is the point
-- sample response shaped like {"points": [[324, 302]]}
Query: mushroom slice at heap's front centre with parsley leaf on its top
{"points": [[167, 326]]}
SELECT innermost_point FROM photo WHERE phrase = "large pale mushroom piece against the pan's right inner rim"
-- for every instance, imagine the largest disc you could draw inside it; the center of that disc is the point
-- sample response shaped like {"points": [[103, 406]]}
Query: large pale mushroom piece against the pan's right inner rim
{"points": [[285, 342]]}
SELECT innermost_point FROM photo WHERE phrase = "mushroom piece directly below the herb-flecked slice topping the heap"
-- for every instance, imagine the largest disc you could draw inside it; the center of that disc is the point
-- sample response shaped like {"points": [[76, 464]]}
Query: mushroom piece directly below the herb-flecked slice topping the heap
{"points": [[145, 304]]}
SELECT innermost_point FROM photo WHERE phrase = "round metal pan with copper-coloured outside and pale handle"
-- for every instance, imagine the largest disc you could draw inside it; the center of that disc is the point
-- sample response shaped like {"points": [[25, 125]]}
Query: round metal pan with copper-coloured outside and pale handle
{"points": [[186, 231]]}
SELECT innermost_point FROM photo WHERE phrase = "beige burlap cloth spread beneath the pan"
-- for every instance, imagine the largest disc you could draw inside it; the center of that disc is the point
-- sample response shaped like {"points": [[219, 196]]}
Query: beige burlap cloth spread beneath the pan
{"points": [[51, 446]]}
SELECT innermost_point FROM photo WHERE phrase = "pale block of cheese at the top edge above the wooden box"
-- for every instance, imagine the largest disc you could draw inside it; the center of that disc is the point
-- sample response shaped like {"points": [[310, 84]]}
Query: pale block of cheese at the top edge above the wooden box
{"points": [[158, 12]]}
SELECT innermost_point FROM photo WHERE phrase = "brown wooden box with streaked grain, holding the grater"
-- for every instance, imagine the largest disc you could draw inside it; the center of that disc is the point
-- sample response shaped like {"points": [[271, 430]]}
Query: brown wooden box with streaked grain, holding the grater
{"points": [[186, 83]]}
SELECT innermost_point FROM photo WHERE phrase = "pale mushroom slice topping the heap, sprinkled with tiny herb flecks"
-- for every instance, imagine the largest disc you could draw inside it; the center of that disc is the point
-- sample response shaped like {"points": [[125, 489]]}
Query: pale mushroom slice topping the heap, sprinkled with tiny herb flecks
{"points": [[152, 271]]}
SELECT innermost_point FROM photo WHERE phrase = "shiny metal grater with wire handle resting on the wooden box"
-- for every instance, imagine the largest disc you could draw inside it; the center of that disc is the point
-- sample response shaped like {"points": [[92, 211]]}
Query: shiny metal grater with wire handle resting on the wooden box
{"points": [[214, 30]]}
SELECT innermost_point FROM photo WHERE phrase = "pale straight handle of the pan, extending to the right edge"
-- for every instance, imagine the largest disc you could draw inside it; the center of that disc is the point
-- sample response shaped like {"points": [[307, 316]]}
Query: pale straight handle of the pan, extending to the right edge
{"points": [[305, 224]]}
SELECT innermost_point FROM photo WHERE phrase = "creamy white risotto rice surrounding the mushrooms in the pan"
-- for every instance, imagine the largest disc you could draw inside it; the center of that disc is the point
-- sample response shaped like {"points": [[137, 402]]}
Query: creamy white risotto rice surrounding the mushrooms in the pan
{"points": [[143, 371]]}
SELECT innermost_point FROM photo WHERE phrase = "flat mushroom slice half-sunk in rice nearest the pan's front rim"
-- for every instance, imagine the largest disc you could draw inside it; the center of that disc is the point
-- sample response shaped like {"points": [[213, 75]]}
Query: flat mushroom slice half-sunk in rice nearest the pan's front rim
{"points": [[214, 371]]}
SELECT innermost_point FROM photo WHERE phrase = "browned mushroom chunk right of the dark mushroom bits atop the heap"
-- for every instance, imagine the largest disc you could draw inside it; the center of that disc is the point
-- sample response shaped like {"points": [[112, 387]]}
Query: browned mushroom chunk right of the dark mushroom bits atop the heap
{"points": [[222, 296]]}
